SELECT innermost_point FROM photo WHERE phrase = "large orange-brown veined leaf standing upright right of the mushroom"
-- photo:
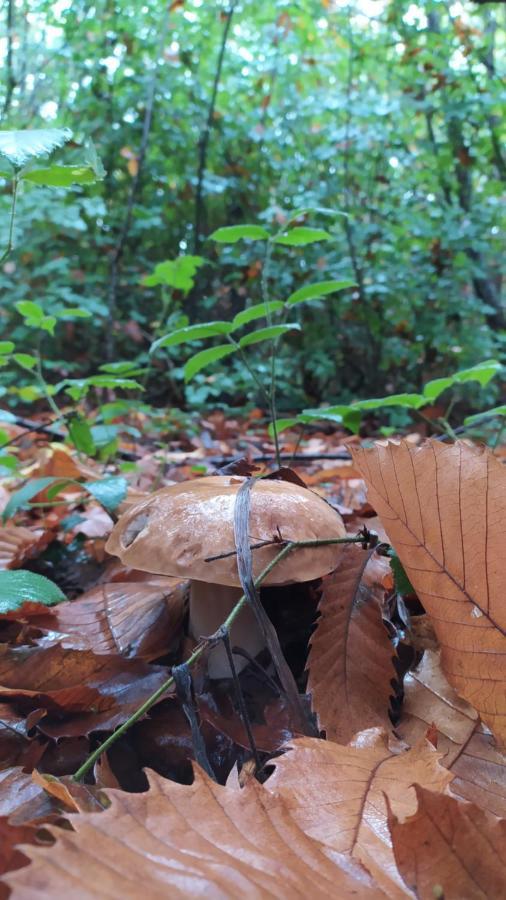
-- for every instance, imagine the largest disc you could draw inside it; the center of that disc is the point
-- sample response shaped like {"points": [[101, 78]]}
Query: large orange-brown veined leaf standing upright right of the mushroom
{"points": [[444, 508]]}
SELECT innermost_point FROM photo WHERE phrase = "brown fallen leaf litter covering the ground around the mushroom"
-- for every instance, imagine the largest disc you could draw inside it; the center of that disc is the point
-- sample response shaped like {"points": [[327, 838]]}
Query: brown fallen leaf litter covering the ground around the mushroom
{"points": [[409, 729]]}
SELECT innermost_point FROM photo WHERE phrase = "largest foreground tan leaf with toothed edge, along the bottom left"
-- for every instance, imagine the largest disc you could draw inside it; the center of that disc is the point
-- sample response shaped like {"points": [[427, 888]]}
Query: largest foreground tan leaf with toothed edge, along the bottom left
{"points": [[189, 840]]}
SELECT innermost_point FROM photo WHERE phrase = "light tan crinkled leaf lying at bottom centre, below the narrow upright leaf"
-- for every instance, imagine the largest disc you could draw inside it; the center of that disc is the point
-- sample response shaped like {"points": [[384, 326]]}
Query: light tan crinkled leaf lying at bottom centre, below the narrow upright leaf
{"points": [[337, 795]]}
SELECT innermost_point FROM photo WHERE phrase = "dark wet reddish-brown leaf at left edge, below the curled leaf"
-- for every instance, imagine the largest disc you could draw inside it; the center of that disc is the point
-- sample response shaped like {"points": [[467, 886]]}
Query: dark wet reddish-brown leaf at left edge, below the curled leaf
{"points": [[80, 691]]}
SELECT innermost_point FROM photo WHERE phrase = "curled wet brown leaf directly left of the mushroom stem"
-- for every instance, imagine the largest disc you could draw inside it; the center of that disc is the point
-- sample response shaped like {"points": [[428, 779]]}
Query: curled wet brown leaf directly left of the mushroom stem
{"points": [[131, 619]]}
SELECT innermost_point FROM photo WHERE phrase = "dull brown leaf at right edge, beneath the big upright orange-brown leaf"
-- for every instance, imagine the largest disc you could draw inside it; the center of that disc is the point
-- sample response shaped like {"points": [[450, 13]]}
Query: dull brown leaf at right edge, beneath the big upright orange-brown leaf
{"points": [[478, 766]]}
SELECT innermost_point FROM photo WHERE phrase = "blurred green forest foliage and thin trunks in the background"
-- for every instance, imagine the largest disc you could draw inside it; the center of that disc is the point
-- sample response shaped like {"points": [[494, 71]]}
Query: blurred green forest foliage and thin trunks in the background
{"points": [[216, 114]]}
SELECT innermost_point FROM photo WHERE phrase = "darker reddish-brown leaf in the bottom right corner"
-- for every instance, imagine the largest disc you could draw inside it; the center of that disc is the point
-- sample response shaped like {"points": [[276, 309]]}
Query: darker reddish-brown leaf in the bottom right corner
{"points": [[450, 849]]}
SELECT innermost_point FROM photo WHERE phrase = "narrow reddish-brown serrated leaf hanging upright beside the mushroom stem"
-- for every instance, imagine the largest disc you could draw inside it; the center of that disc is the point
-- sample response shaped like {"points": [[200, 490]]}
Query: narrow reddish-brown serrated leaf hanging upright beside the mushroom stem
{"points": [[350, 659]]}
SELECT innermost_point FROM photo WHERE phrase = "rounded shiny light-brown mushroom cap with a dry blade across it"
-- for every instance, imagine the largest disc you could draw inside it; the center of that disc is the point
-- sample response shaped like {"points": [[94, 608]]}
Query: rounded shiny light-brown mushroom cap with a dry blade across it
{"points": [[174, 530]]}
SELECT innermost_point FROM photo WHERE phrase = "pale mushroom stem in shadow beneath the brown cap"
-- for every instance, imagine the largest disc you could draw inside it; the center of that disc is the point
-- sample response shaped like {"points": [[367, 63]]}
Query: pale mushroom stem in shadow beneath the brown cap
{"points": [[210, 605]]}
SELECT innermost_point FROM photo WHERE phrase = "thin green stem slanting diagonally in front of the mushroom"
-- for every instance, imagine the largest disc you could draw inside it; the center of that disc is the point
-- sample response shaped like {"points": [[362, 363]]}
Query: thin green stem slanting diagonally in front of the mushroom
{"points": [[197, 653]]}
